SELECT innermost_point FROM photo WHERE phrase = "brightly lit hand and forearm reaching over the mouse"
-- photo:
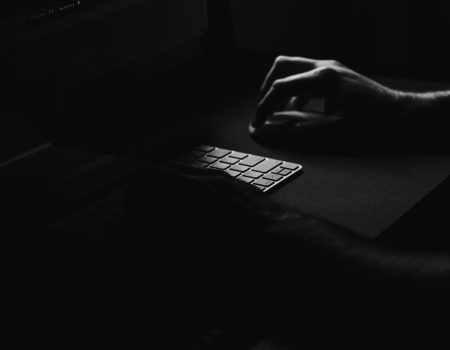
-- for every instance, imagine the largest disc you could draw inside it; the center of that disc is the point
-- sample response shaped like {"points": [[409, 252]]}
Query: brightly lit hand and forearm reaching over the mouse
{"points": [[348, 94]]}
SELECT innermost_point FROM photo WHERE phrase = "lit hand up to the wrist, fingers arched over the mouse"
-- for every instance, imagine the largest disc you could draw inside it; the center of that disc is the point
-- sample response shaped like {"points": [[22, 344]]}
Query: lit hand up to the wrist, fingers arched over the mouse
{"points": [[293, 81]]}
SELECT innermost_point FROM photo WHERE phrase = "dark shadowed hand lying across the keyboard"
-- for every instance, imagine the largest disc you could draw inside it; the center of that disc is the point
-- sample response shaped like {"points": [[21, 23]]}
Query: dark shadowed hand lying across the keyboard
{"points": [[204, 212]]}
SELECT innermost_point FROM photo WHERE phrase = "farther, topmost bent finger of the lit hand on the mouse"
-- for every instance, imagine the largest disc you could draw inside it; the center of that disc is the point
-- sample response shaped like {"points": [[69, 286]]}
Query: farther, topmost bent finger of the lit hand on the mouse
{"points": [[286, 66]]}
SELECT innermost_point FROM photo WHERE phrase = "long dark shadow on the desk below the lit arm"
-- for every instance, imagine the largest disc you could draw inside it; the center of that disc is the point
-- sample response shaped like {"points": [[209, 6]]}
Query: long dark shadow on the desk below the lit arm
{"points": [[369, 140]]}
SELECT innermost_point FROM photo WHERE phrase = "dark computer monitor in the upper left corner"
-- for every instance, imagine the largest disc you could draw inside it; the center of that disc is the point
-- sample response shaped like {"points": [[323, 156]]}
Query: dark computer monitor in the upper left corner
{"points": [[51, 35]]}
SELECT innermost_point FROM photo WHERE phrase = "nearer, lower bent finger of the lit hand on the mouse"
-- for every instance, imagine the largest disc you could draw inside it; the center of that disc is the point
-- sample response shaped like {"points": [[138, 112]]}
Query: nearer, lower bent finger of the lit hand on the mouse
{"points": [[314, 83]]}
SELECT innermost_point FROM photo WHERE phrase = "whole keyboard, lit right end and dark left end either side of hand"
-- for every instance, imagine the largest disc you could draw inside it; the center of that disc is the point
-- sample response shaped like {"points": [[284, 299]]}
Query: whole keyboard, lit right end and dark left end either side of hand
{"points": [[264, 173]]}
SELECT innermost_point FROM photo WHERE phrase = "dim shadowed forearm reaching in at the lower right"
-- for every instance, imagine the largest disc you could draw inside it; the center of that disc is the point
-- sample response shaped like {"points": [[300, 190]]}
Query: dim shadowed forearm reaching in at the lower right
{"points": [[341, 259]]}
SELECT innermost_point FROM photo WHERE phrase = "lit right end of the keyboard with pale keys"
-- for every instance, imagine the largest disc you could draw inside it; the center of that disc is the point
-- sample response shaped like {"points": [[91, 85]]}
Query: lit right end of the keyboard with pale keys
{"points": [[264, 173]]}
